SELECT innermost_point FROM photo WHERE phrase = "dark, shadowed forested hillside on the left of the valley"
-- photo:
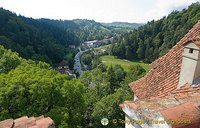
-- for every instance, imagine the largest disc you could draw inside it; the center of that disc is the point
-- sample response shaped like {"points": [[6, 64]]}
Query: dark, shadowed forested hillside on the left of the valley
{"points": [[33, 39]]}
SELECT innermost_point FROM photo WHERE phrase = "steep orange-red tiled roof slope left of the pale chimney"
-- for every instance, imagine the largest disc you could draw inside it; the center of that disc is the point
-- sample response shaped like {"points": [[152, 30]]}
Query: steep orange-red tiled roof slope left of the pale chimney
{"points": [[164, 75]]}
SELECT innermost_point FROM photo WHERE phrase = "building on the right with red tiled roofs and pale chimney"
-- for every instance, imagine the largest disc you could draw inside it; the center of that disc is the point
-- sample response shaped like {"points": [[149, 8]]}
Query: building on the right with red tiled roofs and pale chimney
{"points": [[169, 95]]}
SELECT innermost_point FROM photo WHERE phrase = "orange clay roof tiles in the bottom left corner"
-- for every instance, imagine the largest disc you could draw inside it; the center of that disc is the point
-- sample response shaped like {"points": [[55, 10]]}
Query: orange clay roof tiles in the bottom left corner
{"points": [[25, 122]]}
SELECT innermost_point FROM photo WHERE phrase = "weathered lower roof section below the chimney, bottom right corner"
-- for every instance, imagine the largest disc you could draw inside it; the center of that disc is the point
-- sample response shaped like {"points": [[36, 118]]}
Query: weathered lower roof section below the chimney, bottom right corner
{"points": [[181, 104]]}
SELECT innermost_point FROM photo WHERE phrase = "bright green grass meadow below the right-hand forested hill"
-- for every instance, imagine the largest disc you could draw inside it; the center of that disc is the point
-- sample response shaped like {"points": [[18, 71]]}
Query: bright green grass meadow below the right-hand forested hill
{"points": [[111, 60]]}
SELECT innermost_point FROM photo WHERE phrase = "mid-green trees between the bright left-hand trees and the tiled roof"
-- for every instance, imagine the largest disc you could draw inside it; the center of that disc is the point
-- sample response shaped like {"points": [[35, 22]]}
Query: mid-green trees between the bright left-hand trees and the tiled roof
{"points": [[106, 89]]}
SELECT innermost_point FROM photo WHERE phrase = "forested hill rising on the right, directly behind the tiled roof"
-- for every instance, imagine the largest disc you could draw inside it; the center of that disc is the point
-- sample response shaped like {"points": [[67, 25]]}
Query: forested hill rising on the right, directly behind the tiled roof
{"points": [[156, 38]]}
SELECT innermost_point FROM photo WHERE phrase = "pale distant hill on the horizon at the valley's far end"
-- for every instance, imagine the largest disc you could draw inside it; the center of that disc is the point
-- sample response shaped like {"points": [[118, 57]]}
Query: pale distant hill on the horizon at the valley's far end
{"points": [[123, 25]]}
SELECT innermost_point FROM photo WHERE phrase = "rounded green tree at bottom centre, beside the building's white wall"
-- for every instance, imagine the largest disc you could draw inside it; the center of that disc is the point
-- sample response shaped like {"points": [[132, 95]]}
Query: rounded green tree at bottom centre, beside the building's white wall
{"points": [[108, 107]]}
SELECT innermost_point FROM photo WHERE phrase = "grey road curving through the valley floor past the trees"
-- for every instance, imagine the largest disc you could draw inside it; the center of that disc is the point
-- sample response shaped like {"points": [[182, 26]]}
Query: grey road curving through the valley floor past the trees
{"points": [[77, 64]]}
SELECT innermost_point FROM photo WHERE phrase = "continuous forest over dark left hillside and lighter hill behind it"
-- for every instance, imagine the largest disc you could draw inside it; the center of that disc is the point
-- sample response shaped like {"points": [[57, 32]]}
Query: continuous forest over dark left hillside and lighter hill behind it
{"points": [[47, 40]]}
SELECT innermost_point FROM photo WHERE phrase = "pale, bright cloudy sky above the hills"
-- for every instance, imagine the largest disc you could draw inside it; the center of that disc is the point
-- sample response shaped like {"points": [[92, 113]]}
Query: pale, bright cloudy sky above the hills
{"points": [[133, 11]]}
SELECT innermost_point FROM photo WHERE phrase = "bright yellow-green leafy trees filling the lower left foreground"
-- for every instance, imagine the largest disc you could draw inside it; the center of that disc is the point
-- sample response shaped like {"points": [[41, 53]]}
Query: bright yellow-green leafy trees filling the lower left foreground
{"points": [[34, 88]]}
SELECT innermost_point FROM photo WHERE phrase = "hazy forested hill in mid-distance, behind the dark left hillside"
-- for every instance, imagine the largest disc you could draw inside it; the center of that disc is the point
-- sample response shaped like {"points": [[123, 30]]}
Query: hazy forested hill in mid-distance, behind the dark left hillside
{"points": [[84, 29]]}
